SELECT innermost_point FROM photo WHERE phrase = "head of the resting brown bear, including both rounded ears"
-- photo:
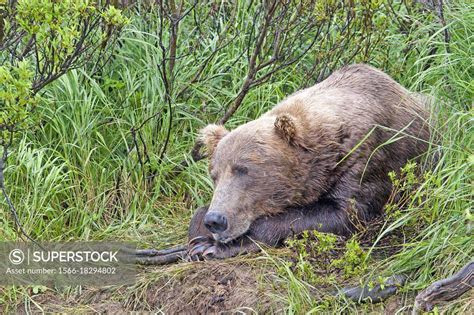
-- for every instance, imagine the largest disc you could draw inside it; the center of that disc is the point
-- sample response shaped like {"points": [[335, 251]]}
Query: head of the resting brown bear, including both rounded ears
{"points": [[261, 168]]}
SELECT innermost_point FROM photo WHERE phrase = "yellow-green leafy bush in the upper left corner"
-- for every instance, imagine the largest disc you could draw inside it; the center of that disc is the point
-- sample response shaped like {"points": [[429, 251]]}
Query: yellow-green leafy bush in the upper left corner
{"points": [[40, 41]]}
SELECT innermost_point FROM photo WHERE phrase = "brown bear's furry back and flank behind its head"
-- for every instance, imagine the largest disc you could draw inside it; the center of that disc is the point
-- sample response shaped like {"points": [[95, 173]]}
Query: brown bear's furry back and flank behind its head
{"points": [[360, 106]]}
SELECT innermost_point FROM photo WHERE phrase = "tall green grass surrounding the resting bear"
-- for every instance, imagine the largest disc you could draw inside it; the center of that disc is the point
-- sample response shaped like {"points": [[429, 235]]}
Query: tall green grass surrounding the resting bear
{"points": [[63, 175]]}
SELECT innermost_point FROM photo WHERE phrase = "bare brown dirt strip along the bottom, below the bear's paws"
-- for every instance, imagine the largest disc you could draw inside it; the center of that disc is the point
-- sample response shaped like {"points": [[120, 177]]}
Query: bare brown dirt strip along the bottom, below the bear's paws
{"points": [[202, 287]]}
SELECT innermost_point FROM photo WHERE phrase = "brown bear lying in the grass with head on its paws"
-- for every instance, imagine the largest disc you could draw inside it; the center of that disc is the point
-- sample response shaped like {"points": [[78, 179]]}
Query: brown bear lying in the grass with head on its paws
{"points": [[318, 160]]}
